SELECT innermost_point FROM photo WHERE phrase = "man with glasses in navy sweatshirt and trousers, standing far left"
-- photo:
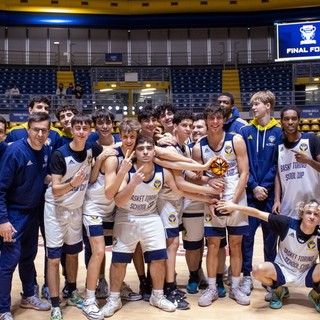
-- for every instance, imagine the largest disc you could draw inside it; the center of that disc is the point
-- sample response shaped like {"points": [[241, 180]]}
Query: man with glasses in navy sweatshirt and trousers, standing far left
{"points": [[23, 170]]}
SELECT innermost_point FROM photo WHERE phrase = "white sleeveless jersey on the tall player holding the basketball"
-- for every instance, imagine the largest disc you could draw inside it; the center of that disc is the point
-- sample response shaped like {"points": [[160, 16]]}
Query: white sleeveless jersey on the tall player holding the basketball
{"points": [[227, 152]]}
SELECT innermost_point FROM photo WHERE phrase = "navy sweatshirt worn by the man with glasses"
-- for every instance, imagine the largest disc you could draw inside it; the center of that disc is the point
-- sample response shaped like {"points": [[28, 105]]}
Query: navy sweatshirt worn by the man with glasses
{"points": [[22, 172]]}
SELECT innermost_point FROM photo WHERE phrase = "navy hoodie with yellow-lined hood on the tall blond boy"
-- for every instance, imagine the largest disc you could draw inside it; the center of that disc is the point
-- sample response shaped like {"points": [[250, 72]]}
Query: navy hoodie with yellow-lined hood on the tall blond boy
{"points": [[262, 148]]}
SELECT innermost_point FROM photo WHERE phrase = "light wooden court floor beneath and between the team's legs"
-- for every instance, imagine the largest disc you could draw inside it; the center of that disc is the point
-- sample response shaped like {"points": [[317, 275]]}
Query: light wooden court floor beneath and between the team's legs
{"points": [[296, 307]]}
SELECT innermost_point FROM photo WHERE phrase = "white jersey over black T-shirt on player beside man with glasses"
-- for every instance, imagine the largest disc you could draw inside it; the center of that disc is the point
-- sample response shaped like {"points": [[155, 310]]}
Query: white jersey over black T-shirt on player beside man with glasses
{"points": [[73, 199]]}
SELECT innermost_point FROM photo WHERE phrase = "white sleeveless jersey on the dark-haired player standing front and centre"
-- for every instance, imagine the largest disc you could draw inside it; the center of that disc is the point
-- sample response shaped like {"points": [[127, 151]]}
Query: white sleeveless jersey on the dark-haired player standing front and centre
{"points": [[144, 198]]}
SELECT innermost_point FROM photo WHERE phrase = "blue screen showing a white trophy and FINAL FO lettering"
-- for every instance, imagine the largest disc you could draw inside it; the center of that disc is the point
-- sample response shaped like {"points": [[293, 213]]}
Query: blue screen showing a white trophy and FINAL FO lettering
{"points": [[298, 41]]}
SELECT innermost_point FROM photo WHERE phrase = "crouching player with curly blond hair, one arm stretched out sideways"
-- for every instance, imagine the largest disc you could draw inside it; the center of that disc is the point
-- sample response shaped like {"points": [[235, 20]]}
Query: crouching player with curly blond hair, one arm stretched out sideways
{"points": [[295, 264]]}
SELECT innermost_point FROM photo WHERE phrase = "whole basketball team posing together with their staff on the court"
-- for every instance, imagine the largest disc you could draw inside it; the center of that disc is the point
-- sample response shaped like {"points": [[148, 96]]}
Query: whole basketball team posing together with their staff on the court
{"points": [[210, 179]]}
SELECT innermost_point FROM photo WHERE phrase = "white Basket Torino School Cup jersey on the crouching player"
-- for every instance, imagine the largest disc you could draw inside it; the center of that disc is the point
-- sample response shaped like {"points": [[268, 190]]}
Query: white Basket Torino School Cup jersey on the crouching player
{"points": [[295, 255]]}
